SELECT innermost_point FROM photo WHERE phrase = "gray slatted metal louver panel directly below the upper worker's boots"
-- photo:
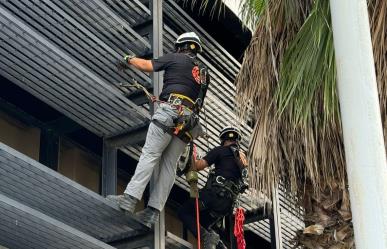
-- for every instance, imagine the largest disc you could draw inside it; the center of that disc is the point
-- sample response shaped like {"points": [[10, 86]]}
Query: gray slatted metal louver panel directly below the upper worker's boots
{"points": [[45, 190]]}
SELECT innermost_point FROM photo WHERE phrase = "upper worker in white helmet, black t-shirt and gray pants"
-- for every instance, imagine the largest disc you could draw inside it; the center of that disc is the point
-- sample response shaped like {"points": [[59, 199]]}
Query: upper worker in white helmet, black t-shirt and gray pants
{"points": [[183, 80]]}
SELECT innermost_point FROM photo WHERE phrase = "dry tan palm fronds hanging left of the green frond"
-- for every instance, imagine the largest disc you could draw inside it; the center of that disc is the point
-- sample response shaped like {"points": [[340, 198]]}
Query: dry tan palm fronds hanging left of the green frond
{"points": [[257, 82]]}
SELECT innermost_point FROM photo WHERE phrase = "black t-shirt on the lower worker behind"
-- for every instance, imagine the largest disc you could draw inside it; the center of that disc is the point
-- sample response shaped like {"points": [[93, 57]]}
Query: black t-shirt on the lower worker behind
{"points": [[225, 163]]}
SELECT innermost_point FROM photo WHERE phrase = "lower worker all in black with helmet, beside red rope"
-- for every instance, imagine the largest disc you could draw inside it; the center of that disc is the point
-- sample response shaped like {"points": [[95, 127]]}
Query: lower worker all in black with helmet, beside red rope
{"points": [[224, 183]]}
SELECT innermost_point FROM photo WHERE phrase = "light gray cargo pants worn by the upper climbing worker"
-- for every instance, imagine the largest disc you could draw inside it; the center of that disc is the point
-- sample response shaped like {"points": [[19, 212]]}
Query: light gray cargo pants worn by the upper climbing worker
{"points": [[158, 159]]}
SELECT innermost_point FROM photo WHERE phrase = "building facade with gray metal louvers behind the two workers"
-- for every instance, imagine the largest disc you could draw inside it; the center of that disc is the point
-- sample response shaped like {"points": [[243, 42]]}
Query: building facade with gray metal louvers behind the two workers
{"points": [[70, 134]]}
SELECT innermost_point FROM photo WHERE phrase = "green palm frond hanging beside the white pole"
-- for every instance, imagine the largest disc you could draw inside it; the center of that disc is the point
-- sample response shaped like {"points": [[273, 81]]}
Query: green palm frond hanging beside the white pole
{"points": [[308, 68]]}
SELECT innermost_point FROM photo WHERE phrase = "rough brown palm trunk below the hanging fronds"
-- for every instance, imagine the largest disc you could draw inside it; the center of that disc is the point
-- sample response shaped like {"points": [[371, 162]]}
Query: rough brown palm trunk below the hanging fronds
{"points": [[327, 220]]}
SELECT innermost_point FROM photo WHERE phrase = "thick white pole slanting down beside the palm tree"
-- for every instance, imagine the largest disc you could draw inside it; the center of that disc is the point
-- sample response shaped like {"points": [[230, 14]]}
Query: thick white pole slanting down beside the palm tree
{"points": [[361, 120]]}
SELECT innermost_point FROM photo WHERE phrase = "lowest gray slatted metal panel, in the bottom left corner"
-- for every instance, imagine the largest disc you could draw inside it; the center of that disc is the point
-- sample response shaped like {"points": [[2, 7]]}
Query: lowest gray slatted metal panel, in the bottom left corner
{"points": [[29, 227]]}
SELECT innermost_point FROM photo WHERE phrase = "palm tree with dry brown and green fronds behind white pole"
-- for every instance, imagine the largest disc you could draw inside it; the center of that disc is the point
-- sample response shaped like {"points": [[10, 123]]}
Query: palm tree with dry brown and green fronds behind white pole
{"points": [[287, 85]]}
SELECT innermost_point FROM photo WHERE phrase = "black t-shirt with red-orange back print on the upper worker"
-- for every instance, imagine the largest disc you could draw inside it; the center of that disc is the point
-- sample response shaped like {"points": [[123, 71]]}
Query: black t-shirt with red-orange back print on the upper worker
{"points": [[181, 75]]}
